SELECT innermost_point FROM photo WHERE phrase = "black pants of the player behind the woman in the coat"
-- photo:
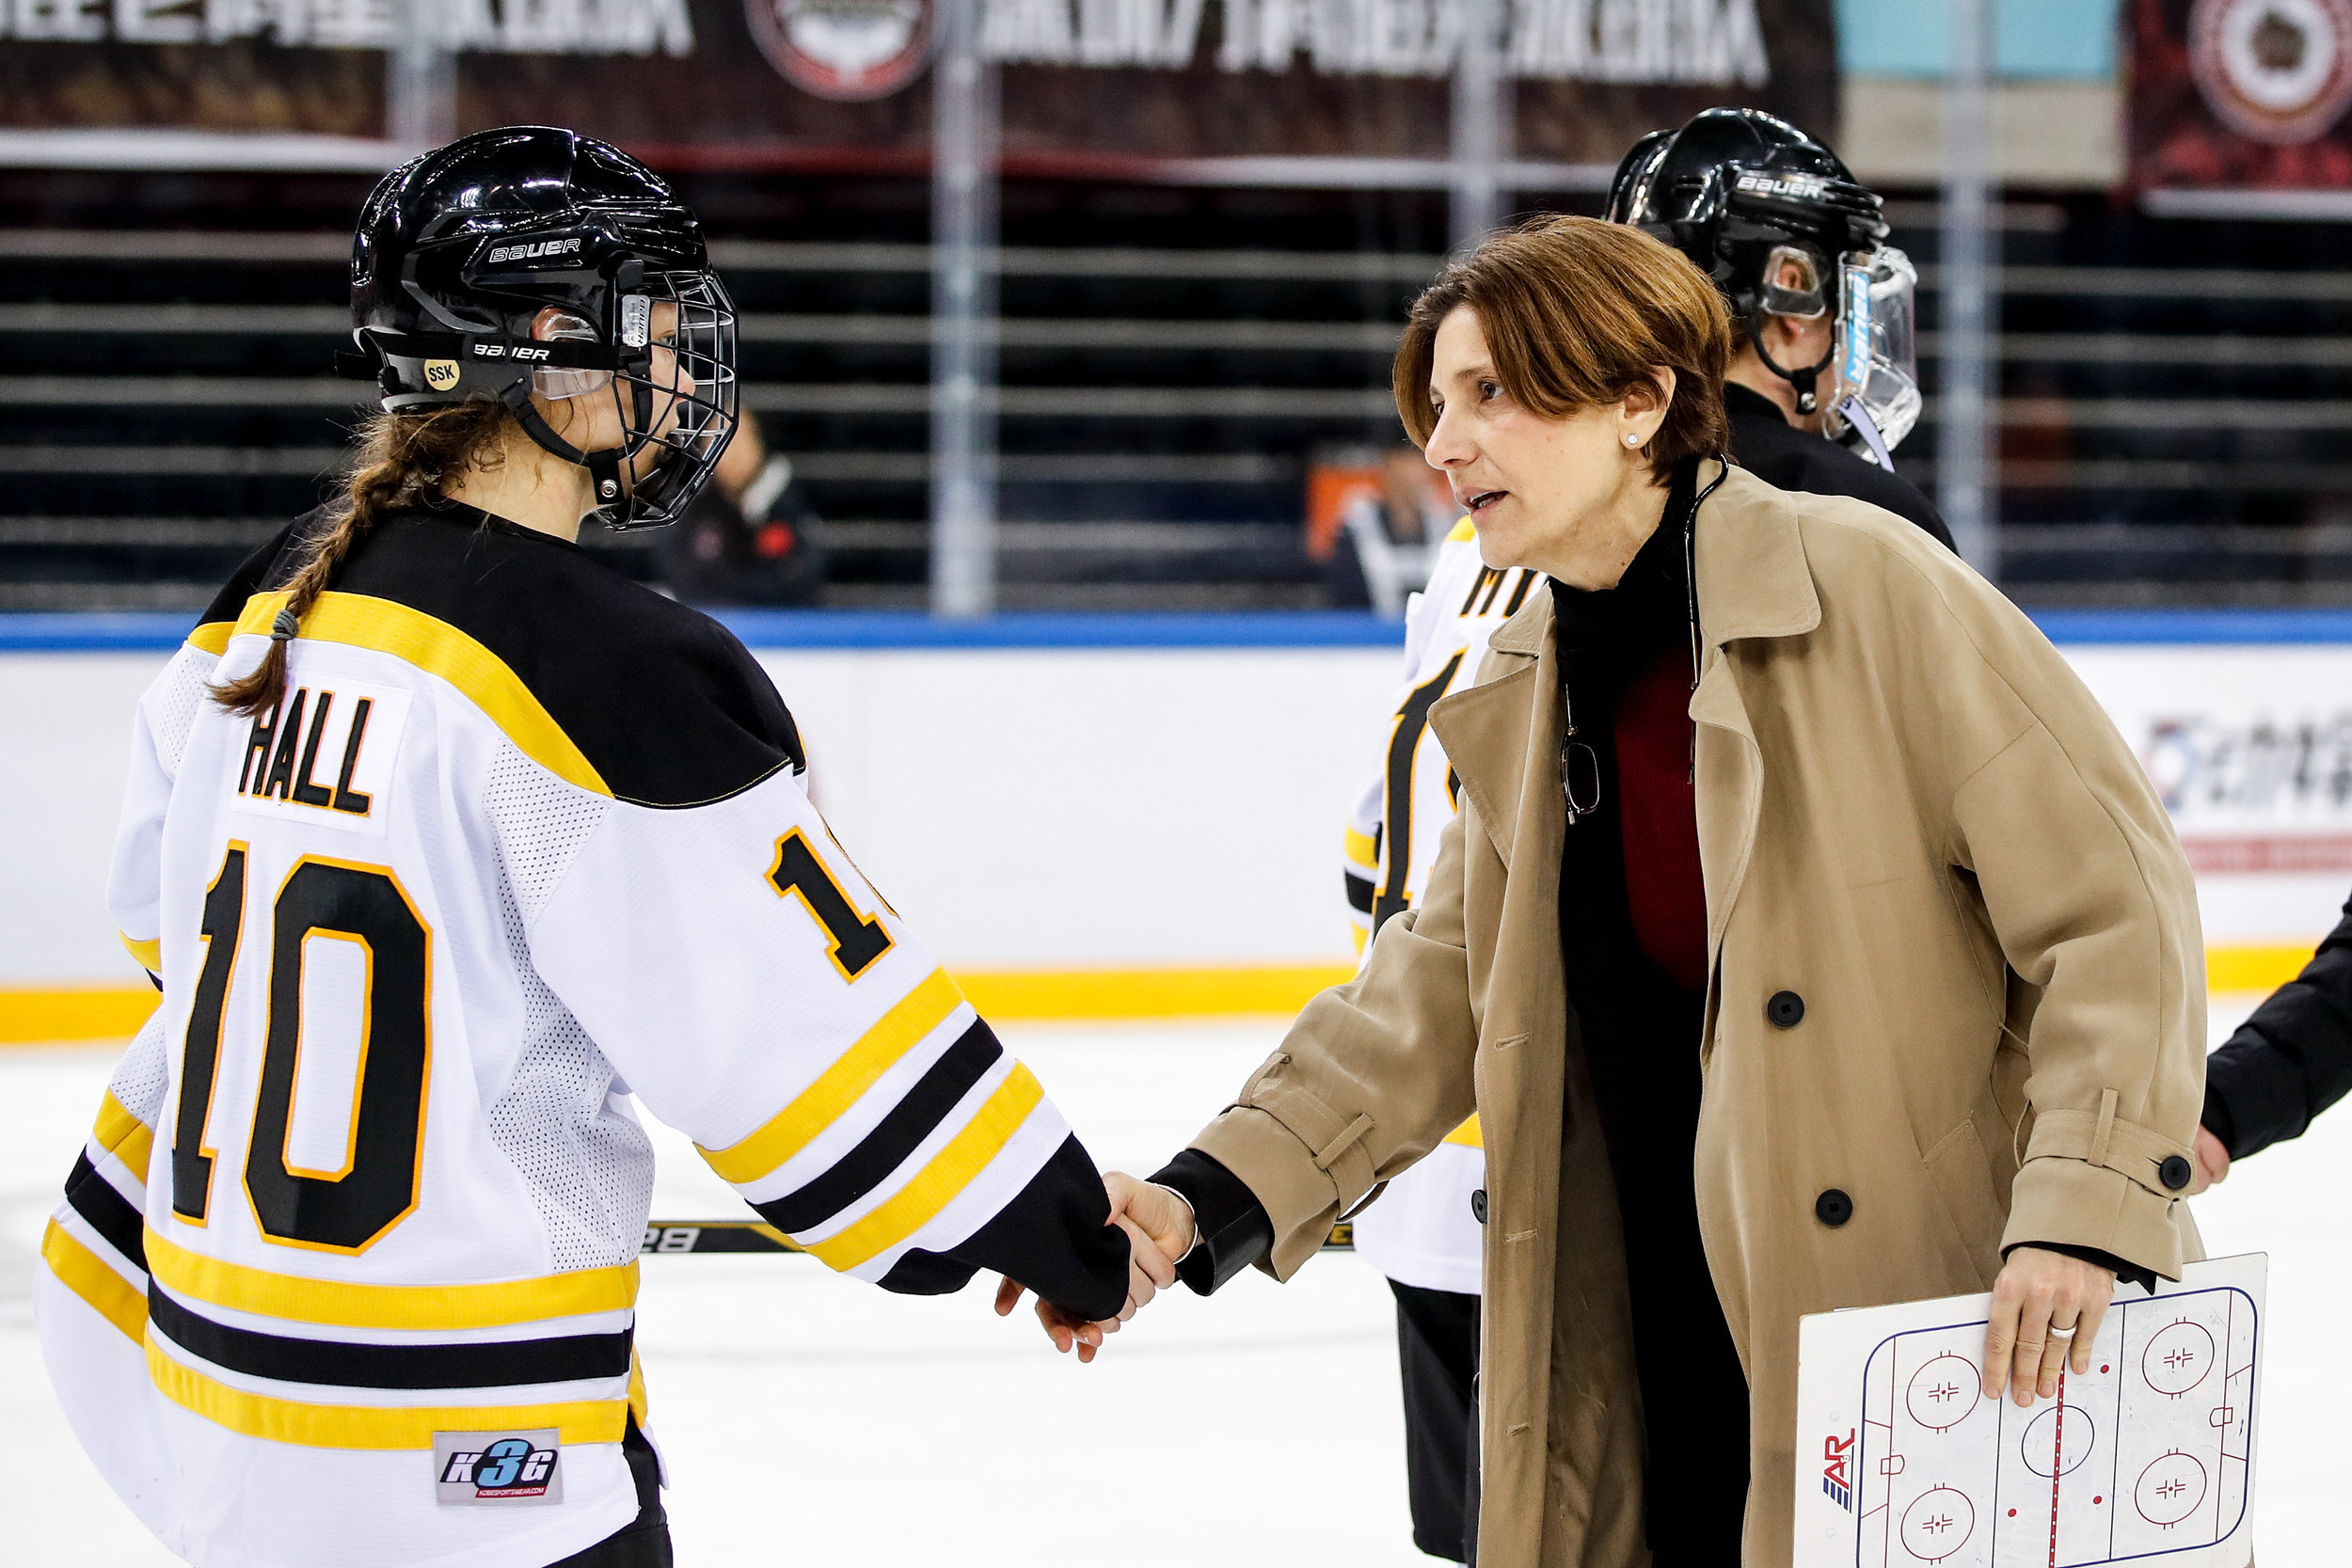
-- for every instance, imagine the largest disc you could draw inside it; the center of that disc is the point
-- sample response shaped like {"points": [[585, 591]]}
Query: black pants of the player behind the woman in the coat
{"points": [[1438, 1358]]}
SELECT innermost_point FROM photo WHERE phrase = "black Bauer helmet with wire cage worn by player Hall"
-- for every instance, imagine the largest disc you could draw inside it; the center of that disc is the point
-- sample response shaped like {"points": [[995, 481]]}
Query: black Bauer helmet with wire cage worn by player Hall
{"points": [[465, 248]]}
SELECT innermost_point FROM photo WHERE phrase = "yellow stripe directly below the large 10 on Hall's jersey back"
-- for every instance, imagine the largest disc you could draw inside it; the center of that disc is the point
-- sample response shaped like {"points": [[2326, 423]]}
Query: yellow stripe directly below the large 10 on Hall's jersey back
{"points": [[352, 1306]]}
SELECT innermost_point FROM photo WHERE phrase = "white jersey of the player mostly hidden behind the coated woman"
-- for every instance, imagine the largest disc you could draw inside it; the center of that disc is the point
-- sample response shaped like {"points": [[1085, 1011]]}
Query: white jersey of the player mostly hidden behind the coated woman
{"points": [[1424, 1231]]}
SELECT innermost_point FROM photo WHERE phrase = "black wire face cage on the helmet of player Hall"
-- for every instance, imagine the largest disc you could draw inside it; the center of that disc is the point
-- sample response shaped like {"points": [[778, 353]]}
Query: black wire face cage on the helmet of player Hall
{"points": [[690, 429]]}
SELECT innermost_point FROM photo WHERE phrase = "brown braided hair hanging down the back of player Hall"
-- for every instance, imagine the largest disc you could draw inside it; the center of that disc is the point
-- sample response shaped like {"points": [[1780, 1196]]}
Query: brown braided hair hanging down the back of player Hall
{"points": [[403, 460]]}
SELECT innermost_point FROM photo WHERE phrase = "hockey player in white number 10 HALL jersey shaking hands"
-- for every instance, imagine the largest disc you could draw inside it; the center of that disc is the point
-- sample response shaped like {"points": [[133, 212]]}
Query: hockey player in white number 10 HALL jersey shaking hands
{"points": [[441, 843]]}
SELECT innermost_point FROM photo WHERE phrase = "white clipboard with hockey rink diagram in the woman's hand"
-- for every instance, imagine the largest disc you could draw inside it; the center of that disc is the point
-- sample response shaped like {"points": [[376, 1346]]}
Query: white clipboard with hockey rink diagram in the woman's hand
{"points": [[1904, 1463]]}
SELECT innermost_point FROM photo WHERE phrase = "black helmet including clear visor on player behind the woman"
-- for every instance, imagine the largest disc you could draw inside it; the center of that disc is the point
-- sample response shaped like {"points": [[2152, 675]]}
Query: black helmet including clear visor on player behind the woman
{"points": [[1784, 229]]}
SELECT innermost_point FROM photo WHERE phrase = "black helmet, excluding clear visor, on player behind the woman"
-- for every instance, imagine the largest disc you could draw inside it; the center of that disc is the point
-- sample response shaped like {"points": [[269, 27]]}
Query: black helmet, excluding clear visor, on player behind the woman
{"points": [[1744, 194]]}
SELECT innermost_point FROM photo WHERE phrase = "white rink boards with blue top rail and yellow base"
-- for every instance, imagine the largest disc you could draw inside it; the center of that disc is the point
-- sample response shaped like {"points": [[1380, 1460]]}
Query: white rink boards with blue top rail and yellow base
{"points": [[1142, 815]]}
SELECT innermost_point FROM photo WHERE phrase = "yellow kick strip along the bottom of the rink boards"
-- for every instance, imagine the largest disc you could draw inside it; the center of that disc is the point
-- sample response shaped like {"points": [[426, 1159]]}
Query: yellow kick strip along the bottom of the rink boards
{"points": [[116, 1012]]}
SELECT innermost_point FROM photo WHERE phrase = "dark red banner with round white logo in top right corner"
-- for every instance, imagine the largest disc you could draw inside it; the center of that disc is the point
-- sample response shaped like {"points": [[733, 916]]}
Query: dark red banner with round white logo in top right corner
{"points": [[2240, 95]]}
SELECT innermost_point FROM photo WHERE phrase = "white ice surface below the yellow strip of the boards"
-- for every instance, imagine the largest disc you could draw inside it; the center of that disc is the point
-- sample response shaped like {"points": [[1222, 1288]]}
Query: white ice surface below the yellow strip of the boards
{"points": [[815, 1421]]}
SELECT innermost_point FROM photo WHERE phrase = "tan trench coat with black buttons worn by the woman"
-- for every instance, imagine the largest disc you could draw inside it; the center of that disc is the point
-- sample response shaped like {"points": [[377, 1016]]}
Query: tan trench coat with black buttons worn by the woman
{"points": [[1911, 815]]}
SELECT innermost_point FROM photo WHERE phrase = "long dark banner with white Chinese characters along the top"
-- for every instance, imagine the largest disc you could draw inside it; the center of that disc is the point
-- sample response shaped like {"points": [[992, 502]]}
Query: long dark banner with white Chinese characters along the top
{"points": [[770, 81]]}
